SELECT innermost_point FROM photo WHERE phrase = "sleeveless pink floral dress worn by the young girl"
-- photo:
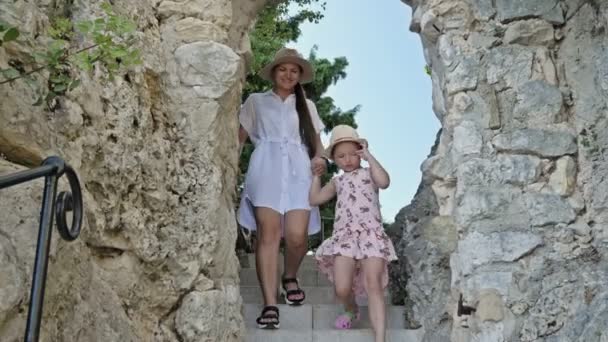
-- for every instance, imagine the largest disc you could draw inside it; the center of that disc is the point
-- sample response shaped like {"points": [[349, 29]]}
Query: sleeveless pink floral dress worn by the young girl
{"points": [[358, 231]]}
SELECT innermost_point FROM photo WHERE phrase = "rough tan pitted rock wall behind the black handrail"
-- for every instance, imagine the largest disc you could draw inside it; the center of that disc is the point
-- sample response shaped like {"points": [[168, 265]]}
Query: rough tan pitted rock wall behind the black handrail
{"points": [[155, 150]]}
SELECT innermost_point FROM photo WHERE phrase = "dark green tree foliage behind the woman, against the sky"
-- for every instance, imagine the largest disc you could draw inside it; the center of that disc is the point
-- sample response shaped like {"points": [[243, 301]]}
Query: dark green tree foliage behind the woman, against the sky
{"points": [[275, 28]]}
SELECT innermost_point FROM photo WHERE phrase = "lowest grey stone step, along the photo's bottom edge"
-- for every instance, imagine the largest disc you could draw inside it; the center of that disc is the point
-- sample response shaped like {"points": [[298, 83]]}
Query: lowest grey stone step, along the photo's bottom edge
{"points": [[354, 335]]}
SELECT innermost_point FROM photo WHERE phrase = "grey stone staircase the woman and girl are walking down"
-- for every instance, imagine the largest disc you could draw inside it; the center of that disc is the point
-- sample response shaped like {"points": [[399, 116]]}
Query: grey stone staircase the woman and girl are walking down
{"points": [[314, 320]]}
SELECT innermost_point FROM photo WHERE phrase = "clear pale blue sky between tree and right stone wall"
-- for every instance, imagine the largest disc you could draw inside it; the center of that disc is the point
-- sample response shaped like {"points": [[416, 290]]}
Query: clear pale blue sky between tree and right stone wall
{"points": [[386, 77]]}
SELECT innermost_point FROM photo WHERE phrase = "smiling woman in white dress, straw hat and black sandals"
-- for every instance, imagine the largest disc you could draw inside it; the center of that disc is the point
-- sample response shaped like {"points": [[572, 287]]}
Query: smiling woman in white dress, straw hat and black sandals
{"points": [[285, 128]]}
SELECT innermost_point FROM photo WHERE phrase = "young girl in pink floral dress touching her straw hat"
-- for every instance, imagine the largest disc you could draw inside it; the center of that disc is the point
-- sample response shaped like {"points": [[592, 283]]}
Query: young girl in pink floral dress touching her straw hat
{"points": [[355, 258]]}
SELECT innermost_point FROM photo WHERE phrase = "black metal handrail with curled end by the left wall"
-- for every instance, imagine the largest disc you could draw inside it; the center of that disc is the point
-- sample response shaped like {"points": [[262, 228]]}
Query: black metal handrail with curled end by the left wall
{"points": [[51, 169]]}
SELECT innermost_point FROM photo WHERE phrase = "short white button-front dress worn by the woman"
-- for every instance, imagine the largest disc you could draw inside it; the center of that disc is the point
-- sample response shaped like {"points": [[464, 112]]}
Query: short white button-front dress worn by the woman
{"points": [[279, 174]]}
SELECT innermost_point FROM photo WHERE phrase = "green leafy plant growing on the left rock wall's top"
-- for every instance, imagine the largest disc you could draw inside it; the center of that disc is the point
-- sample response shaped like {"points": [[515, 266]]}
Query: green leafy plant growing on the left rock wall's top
{"points": [[111, 40]]}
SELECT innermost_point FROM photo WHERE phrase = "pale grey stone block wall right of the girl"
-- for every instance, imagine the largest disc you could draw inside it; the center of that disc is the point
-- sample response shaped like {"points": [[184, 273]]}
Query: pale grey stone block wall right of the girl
{"points": [[518, 173]]}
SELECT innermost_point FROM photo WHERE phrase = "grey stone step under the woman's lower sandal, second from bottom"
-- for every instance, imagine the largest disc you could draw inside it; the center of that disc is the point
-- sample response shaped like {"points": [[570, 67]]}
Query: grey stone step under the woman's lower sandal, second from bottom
{"points": [[320, 316]]}
